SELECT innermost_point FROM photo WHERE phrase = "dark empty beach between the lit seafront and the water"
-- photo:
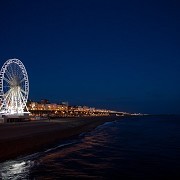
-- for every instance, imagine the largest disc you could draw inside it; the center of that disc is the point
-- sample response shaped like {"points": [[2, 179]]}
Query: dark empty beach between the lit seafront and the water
{"points": [[20, 139]]}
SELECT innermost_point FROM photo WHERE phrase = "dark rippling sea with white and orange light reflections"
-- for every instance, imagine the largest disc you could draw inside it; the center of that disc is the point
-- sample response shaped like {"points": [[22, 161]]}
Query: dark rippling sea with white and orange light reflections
{"points": [[142, 147]]}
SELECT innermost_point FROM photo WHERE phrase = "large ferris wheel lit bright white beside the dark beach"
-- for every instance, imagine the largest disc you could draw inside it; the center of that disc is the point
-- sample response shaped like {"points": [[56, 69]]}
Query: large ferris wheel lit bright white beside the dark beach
{"points": [[14, 87]]}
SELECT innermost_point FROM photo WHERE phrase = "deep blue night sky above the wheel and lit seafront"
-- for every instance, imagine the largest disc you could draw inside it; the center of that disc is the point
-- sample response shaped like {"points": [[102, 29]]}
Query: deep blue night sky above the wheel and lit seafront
{"points": [[113, 54]]}
